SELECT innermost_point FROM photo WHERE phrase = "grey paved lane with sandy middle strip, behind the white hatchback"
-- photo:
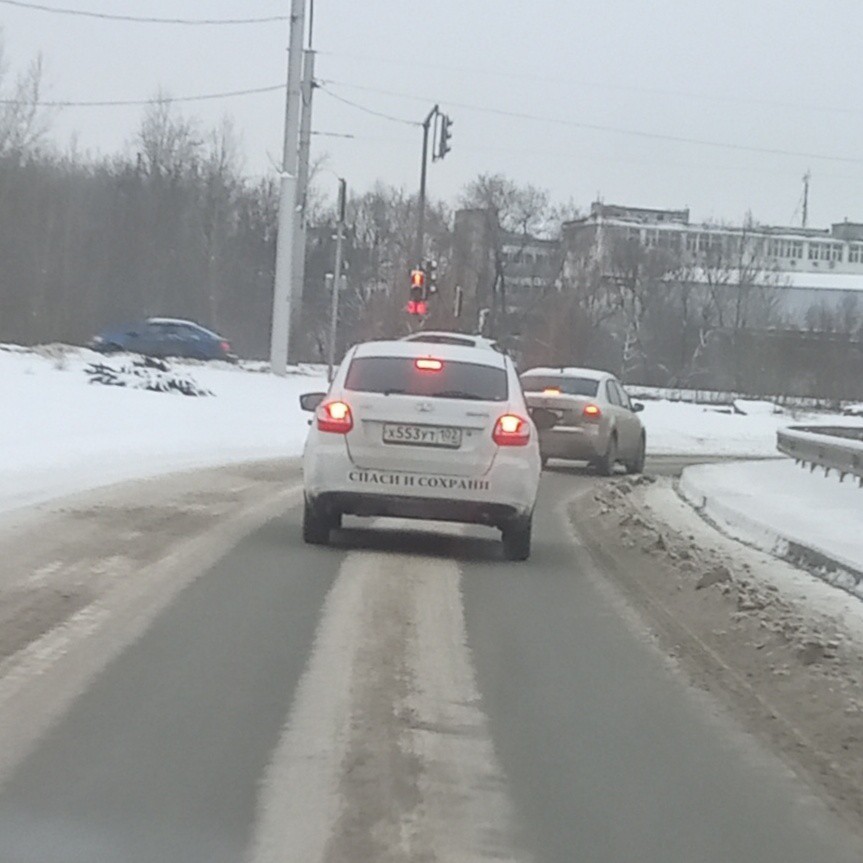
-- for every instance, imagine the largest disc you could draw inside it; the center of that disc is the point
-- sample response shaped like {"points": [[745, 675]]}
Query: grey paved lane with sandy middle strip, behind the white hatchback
{"points": [[404, 696]]}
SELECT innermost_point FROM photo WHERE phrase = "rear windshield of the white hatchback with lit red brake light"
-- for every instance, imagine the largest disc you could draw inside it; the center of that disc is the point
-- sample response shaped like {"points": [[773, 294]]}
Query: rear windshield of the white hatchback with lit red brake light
{"points": [[400, 375]]}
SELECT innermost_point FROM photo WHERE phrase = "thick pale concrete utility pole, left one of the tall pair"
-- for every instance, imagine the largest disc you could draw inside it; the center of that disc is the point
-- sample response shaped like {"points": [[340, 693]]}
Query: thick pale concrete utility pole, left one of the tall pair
{"points": [[281, 324]]}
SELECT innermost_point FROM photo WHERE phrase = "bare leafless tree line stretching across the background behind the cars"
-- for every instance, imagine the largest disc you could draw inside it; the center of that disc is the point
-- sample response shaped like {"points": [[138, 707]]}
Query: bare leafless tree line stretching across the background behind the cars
{"points": [[173, 227]]}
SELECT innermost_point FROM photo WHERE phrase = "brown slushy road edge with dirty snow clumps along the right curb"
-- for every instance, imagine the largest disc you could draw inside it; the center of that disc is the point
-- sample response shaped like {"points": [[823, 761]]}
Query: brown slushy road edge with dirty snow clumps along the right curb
{"points": [[779, 647]]}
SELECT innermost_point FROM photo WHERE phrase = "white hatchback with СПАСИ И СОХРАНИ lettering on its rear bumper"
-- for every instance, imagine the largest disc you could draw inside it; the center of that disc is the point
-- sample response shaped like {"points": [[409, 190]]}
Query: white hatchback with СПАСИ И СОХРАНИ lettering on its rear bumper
{"points": [[429, 431]]}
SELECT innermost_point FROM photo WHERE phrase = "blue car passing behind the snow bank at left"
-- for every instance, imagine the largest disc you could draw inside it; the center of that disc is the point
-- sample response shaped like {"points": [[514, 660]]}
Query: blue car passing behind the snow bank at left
{"points": [[164, 337]]}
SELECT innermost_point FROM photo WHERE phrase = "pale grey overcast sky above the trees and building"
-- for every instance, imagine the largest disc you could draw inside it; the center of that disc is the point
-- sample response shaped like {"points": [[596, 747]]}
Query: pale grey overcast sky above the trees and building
{"points": [[780, 75]]}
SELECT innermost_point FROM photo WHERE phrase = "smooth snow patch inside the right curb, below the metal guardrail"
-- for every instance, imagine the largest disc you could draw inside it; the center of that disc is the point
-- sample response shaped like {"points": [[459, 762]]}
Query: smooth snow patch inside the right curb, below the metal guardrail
{"points": [[771, 503]]}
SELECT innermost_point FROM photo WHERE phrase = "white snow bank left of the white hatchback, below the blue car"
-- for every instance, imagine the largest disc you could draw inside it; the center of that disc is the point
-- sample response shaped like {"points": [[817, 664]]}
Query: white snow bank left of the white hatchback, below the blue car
{"points": [[62, 435]]}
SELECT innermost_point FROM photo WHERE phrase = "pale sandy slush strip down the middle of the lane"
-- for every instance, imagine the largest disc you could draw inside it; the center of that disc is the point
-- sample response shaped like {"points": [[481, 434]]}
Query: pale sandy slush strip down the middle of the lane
{"points": [[387, 755]]}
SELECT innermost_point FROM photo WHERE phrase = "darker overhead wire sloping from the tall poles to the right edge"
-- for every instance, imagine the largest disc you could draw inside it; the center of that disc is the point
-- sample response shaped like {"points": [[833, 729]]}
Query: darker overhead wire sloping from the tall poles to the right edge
{"points": [[595, 127]]}
